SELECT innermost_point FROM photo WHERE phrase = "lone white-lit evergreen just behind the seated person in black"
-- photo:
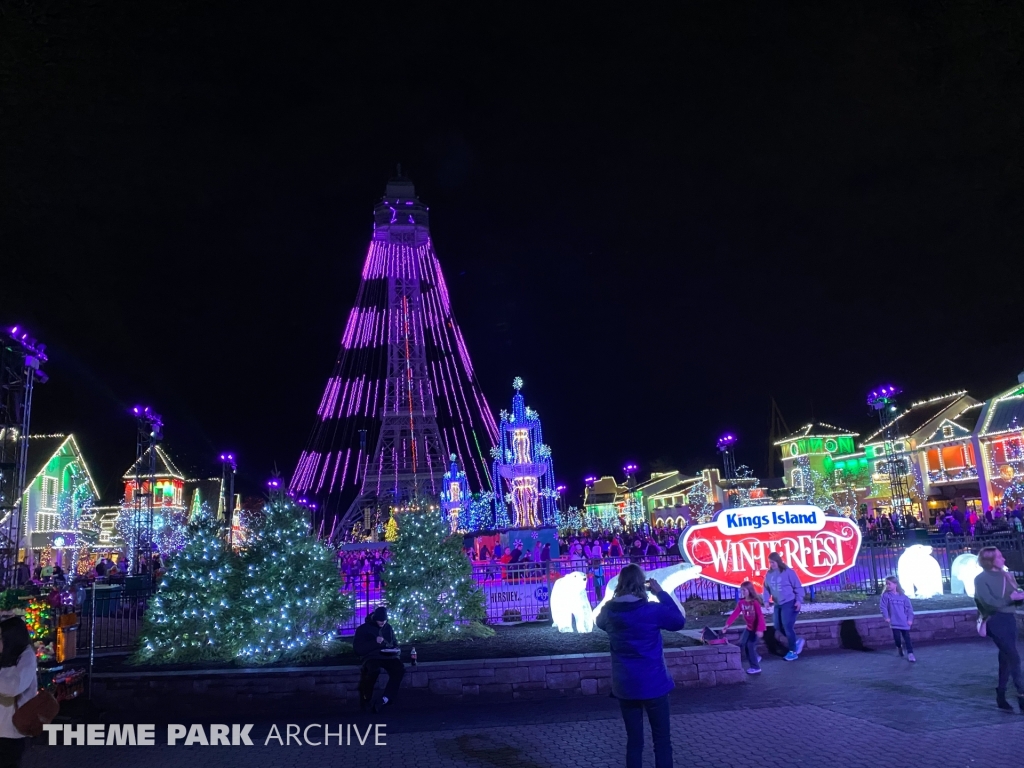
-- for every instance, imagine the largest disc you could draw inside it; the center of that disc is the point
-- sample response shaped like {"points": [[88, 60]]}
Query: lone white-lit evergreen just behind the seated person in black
{"points": [[431, 589]]}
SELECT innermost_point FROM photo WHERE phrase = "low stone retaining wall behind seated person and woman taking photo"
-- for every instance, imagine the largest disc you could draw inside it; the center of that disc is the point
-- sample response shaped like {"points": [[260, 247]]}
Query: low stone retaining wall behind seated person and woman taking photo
{"points": [[537, 677]]}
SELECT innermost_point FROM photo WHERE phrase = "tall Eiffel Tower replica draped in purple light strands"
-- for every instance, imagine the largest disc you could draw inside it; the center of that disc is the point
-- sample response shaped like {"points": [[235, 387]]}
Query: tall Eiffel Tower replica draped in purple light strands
{"points": [[404, 397]]}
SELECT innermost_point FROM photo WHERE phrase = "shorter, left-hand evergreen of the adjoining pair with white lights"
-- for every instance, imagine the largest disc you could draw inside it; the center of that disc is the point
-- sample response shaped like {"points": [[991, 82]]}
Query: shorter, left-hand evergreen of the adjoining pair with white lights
{"points": [[193, 618]]}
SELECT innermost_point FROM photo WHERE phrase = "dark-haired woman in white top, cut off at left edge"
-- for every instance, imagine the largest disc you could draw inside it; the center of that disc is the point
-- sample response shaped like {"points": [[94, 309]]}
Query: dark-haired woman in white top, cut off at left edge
{"points": [[18, 687]]}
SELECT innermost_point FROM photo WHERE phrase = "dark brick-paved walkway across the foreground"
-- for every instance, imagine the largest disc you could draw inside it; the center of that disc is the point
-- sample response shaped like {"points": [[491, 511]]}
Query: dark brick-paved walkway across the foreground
{"points": [[843, 710]]}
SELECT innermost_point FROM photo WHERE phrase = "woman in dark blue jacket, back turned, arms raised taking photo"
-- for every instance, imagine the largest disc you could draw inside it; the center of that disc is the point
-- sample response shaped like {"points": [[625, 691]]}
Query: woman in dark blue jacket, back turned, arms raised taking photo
{"points": [[641, 677]]}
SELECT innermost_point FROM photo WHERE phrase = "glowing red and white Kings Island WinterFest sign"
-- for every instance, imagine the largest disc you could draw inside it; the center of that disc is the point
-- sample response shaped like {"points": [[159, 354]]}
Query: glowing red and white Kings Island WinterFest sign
{"points": [[735, 547]]}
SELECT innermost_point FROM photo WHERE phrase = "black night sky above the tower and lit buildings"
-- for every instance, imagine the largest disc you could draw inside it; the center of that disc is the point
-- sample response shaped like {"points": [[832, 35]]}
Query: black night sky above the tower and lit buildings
{"points": [[659, 222]]}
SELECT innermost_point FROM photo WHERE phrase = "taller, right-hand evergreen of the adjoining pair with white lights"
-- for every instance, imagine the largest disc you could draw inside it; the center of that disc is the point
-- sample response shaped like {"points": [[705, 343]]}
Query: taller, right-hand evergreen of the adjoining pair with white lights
{"points": [[291, 600]]}
